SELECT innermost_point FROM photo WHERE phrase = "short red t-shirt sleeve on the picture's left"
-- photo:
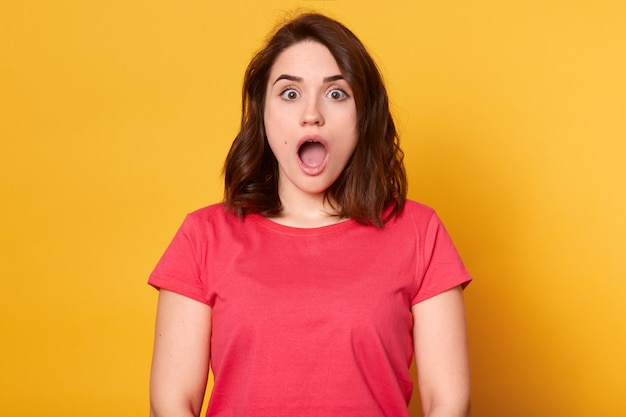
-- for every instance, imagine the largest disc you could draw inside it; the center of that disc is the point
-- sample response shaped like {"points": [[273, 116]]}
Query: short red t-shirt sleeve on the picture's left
{"points": [[179, 269]]}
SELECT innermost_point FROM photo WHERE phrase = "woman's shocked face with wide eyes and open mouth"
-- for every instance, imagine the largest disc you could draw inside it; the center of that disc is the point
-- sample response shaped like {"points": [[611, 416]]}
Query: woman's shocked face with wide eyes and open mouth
{"points": [[310, 118]]}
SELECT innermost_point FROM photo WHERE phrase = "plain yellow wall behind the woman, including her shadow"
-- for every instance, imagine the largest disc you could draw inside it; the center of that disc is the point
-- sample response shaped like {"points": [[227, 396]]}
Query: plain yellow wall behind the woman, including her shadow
{"points": [[115, 117]]}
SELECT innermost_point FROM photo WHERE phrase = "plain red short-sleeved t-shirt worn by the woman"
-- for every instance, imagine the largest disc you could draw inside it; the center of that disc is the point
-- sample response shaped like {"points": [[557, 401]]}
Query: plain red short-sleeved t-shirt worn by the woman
{"points": [[310, 322]]}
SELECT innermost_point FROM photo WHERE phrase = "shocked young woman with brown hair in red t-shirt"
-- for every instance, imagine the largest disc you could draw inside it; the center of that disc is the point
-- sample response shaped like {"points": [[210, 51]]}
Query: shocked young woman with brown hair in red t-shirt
{"points": [[311, 287]]}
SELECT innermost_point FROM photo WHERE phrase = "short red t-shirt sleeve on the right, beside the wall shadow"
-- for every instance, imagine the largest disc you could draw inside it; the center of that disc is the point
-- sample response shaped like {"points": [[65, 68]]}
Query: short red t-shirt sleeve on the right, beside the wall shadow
{"points": [[442, 267]]}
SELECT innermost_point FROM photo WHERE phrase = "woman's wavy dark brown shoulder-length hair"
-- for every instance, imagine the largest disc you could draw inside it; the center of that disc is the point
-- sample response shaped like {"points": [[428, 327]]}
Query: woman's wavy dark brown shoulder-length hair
{"points": [[374, 178]]}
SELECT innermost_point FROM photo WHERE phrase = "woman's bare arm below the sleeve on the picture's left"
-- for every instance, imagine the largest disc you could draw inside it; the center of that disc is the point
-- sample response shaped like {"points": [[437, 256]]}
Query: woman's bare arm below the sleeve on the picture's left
{"points": [[180, 362]]}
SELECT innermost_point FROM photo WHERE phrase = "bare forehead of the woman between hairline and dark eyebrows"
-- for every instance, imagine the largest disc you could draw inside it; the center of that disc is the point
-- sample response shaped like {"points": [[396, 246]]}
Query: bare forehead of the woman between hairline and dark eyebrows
{"points": [[305, 57]]}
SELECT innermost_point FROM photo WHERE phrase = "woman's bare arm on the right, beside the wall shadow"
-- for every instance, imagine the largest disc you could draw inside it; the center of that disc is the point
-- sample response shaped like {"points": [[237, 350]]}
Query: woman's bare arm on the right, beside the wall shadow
{"points": [[441, 354]]}
